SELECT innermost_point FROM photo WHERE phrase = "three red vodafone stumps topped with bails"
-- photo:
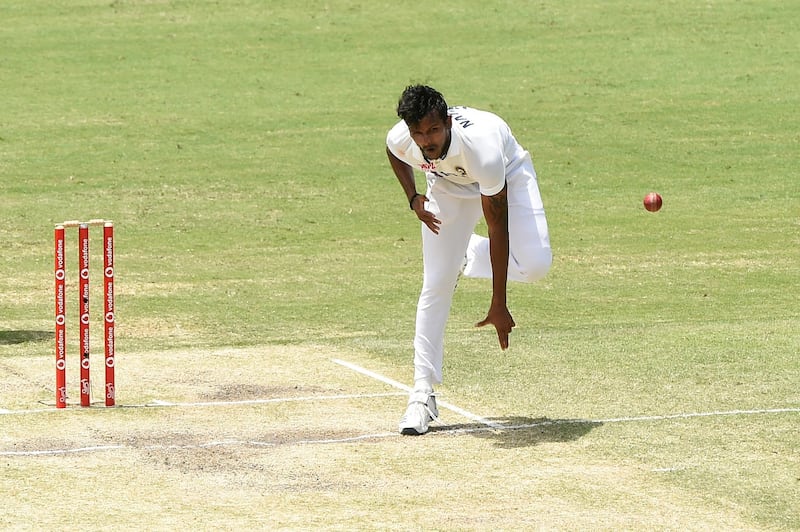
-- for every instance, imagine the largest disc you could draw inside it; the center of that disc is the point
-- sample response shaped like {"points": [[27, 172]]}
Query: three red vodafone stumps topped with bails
{"points": [[83, 292]]}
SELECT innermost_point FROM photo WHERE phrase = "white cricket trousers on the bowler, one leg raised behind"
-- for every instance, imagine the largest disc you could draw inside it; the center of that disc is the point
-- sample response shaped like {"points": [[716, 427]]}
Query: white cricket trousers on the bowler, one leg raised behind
{"points": [[459, 209]]}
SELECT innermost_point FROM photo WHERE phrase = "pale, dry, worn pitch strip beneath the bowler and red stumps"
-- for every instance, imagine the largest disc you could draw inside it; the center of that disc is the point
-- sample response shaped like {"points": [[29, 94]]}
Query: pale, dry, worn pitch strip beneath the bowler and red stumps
{"points": [[257, 438]]}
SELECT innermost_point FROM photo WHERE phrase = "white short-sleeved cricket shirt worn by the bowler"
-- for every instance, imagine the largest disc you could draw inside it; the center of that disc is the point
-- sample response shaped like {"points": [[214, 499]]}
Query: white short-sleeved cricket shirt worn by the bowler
{"points": [[482, 150]]}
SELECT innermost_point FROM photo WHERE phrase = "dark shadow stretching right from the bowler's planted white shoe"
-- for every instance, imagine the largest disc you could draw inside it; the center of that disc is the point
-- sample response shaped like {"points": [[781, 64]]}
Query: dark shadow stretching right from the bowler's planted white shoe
{"points": [[520, 431]]}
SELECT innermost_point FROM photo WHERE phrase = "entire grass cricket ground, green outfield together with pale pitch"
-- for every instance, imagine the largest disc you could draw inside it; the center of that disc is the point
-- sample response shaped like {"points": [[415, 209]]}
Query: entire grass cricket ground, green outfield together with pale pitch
{"points": [[651, 383]]}
